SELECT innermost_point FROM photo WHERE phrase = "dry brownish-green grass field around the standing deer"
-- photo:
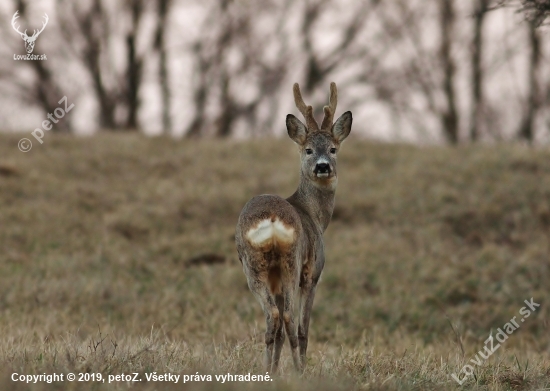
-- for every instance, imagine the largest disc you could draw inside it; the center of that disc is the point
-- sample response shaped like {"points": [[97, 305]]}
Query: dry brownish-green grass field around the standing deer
{"points": [[117, 256]]}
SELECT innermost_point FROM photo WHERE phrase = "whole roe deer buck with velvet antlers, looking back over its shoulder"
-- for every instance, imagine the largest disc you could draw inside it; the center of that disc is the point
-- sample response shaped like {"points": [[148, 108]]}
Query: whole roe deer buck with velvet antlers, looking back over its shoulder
{"points": [[280, 241]]}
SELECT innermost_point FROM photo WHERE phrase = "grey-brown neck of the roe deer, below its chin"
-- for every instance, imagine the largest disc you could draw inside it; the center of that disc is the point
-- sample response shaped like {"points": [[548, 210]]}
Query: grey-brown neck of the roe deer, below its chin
{"points": [[315, 200]]}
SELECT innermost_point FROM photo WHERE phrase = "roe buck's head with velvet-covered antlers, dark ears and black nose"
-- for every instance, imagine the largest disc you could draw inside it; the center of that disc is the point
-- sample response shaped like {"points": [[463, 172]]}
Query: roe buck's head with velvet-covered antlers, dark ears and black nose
{"points": [[319, 146]]}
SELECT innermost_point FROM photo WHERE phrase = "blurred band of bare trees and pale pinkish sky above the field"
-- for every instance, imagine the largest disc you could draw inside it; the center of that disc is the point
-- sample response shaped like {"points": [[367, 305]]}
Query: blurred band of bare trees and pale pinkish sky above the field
{"points": [[428, 71]]}
